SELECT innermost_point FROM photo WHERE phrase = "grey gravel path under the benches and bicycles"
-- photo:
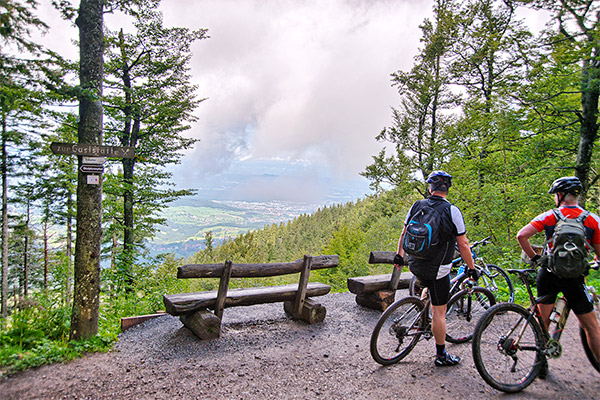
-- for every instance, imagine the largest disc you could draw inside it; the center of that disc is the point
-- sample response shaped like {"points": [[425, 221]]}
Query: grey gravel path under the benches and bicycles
{"points": [[262, 354]]}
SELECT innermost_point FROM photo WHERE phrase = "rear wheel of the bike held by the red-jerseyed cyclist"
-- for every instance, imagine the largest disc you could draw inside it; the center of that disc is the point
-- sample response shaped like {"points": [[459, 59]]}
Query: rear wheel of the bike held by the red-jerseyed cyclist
{"points": [[493, 348]]}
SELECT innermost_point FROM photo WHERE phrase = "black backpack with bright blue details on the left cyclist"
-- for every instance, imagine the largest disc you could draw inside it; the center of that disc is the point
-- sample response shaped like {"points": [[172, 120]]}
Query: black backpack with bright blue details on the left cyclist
{"points": [[424, 231]]}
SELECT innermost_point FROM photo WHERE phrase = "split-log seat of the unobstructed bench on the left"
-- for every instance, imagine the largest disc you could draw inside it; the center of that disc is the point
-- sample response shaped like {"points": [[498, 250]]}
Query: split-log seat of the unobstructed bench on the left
{"points": [[187, 303]]}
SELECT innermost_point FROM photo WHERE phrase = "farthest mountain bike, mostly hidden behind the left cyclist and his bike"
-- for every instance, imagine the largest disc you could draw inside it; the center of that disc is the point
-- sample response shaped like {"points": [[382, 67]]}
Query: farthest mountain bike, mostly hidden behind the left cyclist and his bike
{"points": [[491, 277]]}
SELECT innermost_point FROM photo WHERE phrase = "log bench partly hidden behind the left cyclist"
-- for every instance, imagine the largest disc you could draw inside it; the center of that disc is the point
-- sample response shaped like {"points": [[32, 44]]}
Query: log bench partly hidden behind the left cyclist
{"points": [[379, 291]]}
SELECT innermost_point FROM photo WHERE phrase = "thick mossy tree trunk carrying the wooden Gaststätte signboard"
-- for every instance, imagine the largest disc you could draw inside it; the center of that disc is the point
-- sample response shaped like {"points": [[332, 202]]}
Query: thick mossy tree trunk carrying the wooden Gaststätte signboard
{"points": [[86, 296]]}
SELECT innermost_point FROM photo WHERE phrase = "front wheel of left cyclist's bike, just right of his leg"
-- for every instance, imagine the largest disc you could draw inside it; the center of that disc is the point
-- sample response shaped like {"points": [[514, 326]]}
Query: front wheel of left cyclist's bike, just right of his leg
{"points": [[463, 312]]}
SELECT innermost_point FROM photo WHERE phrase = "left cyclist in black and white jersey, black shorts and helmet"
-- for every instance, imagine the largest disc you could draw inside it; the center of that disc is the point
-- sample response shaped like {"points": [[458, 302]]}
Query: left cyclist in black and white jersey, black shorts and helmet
{"points": [[434, 274]]}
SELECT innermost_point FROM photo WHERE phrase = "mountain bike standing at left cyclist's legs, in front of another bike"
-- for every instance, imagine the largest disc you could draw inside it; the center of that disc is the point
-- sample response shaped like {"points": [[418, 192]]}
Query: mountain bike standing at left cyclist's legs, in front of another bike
{"points": [[406, 321]]}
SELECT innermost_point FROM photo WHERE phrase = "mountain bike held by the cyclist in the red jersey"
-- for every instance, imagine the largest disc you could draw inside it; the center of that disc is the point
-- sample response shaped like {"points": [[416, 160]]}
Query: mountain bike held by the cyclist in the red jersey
{"points": [[511, 343]]}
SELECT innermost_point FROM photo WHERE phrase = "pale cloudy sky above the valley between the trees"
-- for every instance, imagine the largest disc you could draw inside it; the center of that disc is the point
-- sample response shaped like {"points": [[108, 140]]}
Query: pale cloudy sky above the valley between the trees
{"points": [[297, 89]]}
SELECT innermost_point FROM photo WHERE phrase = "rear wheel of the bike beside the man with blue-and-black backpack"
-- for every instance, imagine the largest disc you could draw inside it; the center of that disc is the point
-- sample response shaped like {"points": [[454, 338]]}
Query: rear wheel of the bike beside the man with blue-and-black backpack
{"points": [[402, 320]]}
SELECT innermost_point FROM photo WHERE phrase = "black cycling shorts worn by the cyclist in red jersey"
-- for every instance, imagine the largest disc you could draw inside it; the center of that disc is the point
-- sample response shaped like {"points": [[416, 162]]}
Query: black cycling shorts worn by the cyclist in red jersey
{"points": [[574, 290]]}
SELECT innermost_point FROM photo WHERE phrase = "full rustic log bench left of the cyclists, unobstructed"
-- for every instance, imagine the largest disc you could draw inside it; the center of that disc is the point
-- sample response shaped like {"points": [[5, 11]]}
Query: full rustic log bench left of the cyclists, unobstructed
{"points": [[192, 308]]}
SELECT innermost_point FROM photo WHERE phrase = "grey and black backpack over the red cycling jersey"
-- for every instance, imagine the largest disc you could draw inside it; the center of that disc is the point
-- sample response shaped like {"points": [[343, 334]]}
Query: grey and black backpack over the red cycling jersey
{"points": [[568, 258]]}
